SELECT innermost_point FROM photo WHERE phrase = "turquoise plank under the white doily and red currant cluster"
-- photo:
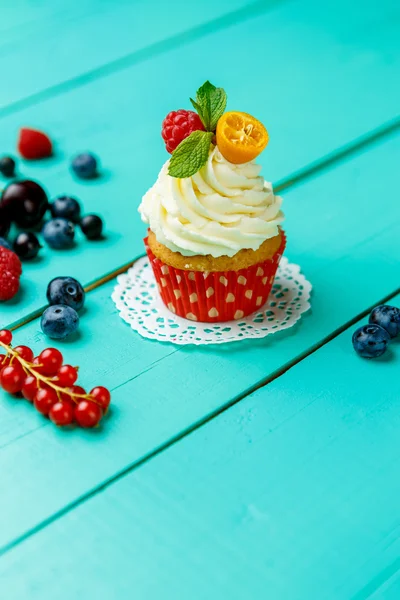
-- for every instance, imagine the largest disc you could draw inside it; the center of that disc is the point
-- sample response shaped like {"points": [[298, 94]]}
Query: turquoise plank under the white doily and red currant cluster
{"points": [[350, 256]]}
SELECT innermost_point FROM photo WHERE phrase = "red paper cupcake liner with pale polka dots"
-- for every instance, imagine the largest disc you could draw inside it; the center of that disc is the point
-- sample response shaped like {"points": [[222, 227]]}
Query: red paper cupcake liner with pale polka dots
{"points": [[217, 296]]}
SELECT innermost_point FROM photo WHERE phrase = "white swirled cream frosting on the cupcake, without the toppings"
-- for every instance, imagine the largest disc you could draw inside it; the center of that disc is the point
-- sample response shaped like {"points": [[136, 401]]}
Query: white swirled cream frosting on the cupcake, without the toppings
{"points": [[220, 210]]}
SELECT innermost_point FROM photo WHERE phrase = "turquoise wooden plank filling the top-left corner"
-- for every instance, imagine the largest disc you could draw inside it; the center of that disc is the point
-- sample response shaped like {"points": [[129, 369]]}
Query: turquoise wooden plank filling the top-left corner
{"points": [[63, 41]]}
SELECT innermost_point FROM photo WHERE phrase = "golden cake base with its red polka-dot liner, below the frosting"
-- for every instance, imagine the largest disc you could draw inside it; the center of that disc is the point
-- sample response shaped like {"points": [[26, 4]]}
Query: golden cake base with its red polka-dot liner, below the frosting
{"points": [[211, 296]]}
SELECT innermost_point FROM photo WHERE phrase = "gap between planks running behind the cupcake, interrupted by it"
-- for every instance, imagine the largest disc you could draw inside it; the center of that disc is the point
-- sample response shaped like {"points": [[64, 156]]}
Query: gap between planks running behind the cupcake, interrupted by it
{"points": [[326, 162]]}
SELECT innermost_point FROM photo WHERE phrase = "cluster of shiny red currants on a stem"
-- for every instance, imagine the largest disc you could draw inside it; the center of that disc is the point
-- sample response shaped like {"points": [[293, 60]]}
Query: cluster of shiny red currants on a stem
{"points": [[50, 385]]}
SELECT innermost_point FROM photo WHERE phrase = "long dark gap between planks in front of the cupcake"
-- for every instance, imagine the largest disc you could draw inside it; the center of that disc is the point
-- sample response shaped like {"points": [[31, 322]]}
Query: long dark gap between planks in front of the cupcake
{"points": [[183, 434]]}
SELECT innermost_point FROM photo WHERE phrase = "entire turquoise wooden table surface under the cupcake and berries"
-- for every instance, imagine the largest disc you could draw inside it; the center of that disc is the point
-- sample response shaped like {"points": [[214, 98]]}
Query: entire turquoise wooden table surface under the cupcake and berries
{"points": [[267, 469]]}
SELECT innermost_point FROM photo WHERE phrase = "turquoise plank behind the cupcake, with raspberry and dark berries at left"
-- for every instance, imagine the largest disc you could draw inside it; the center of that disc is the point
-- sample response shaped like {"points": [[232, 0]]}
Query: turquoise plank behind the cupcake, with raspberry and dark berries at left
{"points": [[333, 48]]}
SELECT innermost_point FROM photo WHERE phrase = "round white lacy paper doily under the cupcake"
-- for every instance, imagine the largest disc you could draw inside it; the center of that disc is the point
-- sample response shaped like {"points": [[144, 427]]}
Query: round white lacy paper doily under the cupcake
{"points": [[137, 299]]}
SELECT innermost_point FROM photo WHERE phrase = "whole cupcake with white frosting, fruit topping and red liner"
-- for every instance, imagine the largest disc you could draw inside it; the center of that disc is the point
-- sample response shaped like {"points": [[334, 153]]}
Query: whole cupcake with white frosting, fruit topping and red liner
{"points": [[214, 237]]}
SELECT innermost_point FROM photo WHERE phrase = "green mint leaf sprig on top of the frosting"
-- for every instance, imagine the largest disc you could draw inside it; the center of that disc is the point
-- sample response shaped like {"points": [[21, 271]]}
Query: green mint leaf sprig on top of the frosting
{"points": [[192, 153]]}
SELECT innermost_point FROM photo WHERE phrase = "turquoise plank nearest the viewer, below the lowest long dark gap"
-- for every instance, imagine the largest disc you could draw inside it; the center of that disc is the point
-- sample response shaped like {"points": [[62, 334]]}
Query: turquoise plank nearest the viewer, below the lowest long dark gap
{"points": [[292, 493]]}
